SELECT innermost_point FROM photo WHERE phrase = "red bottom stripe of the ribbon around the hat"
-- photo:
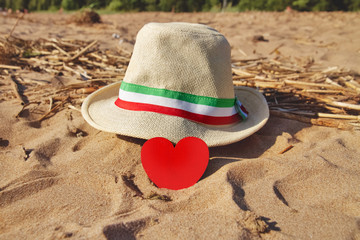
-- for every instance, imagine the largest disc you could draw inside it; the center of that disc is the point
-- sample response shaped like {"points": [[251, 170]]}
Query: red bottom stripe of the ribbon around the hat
{"points": [[177, 112]]}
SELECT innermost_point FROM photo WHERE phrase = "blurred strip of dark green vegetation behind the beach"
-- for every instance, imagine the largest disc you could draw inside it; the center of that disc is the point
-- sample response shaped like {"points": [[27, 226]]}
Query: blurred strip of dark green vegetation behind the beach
{"points": [[181, 5]]}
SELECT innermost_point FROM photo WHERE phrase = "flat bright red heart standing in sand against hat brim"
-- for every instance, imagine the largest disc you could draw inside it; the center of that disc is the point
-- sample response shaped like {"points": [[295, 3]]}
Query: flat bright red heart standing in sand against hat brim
{"points": [[175, 168]]}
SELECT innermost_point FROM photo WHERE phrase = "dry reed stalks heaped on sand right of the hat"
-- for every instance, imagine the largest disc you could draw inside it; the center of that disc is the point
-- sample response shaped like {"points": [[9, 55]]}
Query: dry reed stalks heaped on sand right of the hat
{"points": [[300, 91]]}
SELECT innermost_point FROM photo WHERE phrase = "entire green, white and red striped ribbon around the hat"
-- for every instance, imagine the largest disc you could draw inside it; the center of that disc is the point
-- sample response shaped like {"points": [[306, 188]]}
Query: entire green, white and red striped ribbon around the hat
{"points": [[202, 109]]}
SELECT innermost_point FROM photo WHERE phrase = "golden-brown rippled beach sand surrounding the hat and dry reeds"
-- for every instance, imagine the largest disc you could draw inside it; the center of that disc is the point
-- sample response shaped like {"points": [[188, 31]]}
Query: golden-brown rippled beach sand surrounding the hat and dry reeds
{"points": [[56, 183]]}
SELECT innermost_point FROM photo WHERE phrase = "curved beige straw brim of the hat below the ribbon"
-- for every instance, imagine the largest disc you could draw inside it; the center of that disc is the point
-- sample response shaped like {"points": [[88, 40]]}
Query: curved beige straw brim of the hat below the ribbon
{"points": [[100, 111]]}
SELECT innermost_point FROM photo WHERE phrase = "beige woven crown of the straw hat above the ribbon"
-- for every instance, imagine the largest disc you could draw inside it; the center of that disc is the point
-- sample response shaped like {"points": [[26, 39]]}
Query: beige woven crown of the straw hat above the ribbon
{"points": [[183, 57]]}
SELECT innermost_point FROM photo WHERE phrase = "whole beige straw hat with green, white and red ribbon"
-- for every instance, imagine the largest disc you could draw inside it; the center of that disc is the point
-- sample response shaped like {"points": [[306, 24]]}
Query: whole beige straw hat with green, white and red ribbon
{"points": [[178, 84]]}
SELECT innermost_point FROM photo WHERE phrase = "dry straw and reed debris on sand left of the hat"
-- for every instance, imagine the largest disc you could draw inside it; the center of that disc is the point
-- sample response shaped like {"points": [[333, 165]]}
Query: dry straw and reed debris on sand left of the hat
{"points": [[59, 58]]}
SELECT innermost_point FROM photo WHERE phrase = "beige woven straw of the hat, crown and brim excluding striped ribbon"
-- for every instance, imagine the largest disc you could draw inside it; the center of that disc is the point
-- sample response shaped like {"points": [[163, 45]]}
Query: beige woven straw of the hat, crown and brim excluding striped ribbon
{"points": [[190, 58]]}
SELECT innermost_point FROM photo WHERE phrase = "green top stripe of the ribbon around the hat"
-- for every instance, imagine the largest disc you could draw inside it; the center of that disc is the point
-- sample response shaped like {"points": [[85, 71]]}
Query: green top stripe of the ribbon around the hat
{"points": [[203, 100]]}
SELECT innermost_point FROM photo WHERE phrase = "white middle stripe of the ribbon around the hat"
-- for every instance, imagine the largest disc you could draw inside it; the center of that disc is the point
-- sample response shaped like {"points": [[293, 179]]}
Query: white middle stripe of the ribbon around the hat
{"points": [[178, 104]]}
